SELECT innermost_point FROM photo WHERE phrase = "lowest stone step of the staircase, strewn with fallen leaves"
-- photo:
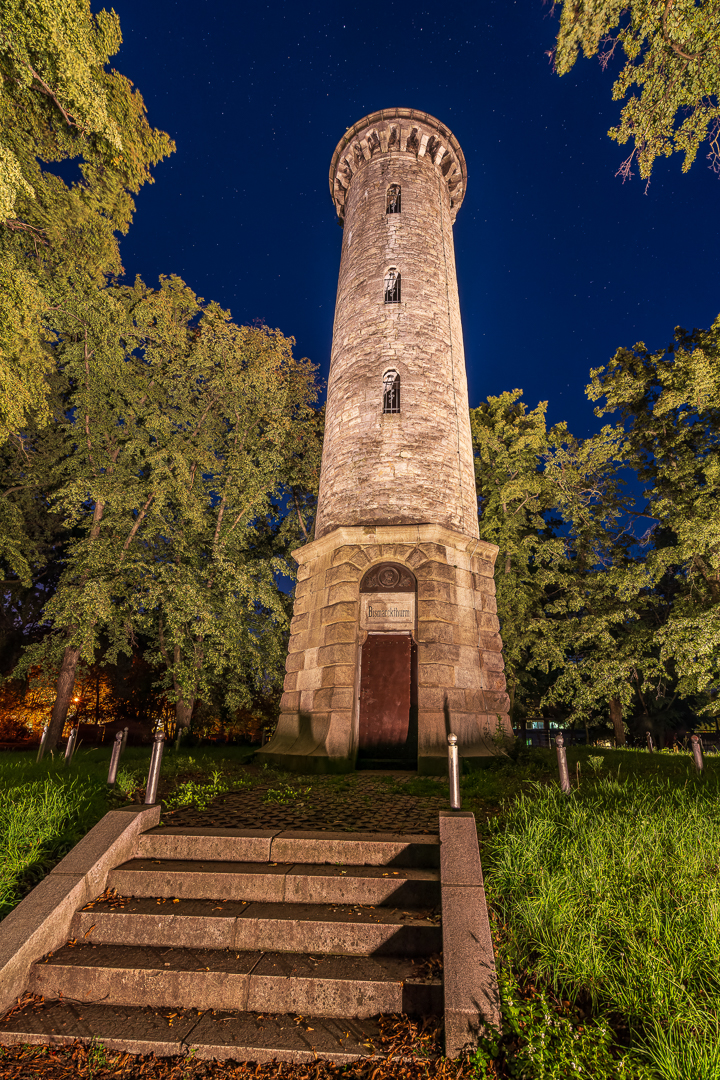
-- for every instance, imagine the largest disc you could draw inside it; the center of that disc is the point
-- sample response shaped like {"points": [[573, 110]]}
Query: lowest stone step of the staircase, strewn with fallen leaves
{"points": [[241, 1036]]}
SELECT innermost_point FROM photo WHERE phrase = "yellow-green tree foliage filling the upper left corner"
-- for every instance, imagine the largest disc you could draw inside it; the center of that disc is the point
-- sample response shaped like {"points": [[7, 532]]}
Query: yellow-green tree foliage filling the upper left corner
{"points": [[60, 103]]}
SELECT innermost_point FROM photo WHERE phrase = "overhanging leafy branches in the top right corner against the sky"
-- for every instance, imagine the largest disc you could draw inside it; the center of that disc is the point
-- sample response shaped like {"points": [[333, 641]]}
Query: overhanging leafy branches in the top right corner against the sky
{"points": [[672, 57]]}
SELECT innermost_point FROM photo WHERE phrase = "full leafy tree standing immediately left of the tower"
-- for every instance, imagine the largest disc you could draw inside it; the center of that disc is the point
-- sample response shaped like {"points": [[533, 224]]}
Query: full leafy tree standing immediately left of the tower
{"points": [[178, 430]]}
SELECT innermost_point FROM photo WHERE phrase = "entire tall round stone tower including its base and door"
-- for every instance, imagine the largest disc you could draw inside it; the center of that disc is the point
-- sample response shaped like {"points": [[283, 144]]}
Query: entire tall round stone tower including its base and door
{"points": [[395, 634]]}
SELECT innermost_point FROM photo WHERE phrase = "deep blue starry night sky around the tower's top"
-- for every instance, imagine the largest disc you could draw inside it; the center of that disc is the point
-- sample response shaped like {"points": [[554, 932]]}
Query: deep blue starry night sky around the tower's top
{"points": [[559, 262]]}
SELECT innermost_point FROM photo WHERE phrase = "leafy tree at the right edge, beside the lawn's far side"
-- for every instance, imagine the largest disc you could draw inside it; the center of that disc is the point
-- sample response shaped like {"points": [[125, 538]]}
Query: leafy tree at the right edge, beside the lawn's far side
{"points": [[669, 403]]}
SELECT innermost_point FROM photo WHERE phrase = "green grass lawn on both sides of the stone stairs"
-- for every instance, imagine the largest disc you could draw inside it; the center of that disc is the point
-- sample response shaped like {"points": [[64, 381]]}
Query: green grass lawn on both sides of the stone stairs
{"points": [[605, 903]]}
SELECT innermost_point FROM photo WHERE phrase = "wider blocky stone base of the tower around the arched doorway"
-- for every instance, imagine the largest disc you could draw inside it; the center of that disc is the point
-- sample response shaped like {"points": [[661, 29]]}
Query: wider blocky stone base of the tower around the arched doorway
{"points": [[460, 668]]}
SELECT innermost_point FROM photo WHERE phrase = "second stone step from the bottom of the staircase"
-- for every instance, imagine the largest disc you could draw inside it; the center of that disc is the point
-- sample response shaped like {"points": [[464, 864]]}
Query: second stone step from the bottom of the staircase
{"points": [[318, 984]]}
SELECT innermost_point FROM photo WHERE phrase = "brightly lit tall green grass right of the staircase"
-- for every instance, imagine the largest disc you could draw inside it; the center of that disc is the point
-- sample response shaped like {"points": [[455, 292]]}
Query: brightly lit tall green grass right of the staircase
{"points": [[613, 895]]}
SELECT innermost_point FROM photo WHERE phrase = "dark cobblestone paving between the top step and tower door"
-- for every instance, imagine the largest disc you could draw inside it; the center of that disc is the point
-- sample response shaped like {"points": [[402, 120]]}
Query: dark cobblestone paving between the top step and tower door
{"points": [[364, 802]]}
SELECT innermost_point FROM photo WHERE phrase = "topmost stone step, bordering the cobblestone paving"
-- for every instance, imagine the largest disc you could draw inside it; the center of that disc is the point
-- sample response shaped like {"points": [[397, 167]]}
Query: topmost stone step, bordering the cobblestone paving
{"points": [[292, 846]]}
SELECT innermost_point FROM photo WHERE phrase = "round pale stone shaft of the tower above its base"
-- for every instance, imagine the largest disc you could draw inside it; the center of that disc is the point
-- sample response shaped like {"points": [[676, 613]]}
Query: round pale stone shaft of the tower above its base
{"points": [[417, 466]]}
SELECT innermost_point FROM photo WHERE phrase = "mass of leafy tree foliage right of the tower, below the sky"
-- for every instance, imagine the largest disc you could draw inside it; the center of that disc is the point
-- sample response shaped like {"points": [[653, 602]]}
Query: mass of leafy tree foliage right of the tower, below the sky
{"points": [[608, 577]]}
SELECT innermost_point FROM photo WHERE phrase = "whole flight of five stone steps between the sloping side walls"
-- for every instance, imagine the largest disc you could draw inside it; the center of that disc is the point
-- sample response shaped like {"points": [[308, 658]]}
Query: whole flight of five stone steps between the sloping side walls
{"points": [[253, 947]]}
